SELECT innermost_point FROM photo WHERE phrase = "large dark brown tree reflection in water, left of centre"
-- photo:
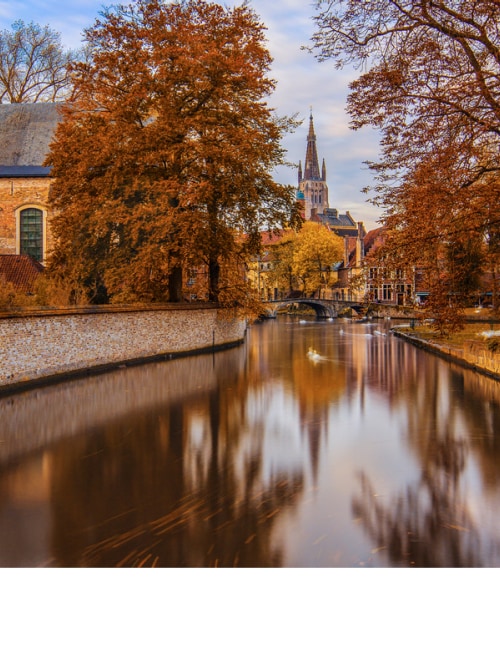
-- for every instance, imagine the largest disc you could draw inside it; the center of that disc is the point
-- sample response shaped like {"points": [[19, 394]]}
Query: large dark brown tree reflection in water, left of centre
{"points": [[141, 493]]}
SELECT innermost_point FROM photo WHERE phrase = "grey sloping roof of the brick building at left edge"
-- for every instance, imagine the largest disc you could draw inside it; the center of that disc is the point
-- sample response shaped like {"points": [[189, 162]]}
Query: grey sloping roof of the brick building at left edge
{"points": [[26, 131]]}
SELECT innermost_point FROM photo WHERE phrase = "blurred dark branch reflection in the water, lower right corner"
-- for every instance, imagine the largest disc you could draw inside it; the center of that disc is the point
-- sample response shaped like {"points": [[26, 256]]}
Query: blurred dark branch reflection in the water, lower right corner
{"points": [[429, 524]]}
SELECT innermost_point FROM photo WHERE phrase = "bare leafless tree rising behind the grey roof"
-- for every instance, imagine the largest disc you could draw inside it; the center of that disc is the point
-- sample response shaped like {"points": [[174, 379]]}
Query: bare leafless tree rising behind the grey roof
{"points": [[33, 64]]}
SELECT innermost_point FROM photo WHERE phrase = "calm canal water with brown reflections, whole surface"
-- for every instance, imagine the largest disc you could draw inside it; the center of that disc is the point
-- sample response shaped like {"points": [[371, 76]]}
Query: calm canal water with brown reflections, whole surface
{"points": [[368, 453]]}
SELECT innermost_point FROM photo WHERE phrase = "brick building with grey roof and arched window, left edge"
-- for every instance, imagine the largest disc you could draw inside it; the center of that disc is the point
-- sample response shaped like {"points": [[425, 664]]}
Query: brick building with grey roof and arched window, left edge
{"points": [[26, 131]]}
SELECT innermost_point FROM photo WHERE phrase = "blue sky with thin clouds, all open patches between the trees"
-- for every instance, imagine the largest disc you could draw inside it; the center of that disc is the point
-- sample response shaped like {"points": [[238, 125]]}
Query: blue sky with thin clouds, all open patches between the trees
{"points": [[302, 83]]}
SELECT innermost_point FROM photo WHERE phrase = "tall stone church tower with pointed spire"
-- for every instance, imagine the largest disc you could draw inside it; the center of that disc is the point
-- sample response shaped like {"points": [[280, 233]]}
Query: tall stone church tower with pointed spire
{"points": [[312, 182]]}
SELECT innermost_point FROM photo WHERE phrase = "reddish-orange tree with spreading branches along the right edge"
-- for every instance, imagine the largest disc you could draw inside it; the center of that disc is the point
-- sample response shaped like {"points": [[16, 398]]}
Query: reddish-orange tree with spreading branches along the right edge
{"points": [[431, 85]]}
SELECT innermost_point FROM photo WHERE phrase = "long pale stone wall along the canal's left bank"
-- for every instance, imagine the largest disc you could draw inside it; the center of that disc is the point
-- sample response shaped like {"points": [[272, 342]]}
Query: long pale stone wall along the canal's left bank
{"points": [[46, 344]]}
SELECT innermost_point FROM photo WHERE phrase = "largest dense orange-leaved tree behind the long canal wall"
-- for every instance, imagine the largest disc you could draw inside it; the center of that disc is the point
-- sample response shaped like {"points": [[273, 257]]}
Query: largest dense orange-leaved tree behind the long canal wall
{"points": [[163, 159]]}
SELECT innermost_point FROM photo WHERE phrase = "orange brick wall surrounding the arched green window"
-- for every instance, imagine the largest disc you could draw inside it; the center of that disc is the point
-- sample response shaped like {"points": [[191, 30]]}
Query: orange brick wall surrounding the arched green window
{"points": [[16, 193]]}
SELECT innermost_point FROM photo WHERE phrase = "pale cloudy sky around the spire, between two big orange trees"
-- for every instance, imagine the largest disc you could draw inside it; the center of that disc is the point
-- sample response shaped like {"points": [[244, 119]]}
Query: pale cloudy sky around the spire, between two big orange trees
{"points": [[303, 82]]}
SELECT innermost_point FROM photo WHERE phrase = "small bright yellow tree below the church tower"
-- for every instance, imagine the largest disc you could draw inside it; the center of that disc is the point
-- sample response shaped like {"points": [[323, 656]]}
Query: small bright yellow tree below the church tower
{"points": [[316, 249]]}
